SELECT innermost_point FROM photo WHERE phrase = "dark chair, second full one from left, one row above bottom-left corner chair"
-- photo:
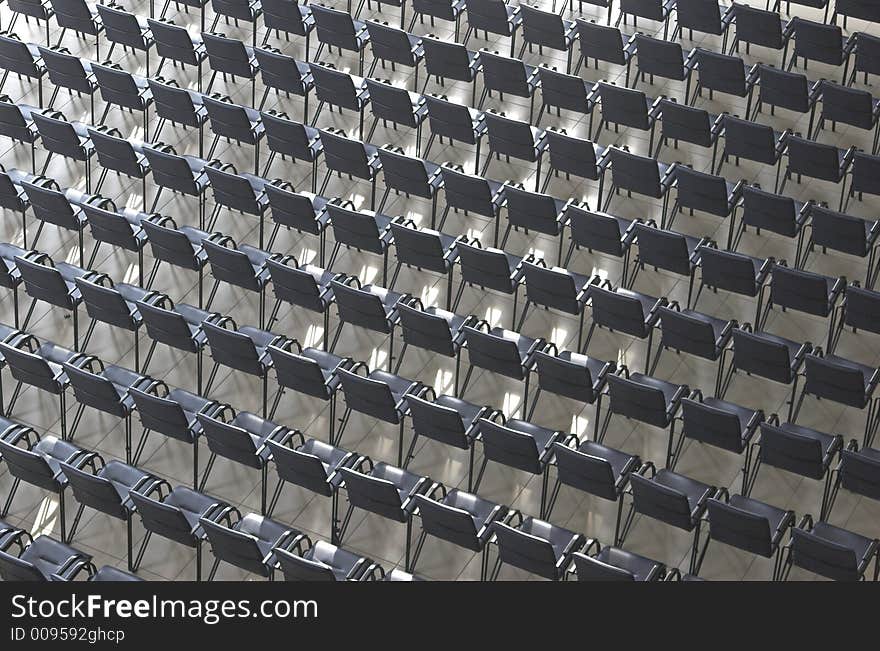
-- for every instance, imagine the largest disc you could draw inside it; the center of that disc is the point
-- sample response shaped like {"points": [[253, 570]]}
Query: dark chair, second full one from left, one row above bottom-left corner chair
{"points": [[106, 489]]}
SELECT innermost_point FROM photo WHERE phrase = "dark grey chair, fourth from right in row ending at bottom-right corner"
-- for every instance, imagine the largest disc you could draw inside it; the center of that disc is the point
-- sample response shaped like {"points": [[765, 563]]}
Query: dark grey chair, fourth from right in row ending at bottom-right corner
{"points": [[598, 470]]}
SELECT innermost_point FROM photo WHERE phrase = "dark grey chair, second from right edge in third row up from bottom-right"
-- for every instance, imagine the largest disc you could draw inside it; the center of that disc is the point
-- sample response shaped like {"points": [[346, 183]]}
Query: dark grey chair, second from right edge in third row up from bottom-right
{"points": [[765, 355]]}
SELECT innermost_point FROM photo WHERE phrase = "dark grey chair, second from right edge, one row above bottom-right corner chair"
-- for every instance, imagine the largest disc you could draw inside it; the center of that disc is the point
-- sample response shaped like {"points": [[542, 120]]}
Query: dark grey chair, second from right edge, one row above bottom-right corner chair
{"points": [[800, 450]]}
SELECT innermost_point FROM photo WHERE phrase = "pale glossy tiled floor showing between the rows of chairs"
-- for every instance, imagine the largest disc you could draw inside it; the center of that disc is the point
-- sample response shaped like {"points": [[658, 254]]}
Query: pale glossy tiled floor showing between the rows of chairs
{"points": [[378, 538]]}
